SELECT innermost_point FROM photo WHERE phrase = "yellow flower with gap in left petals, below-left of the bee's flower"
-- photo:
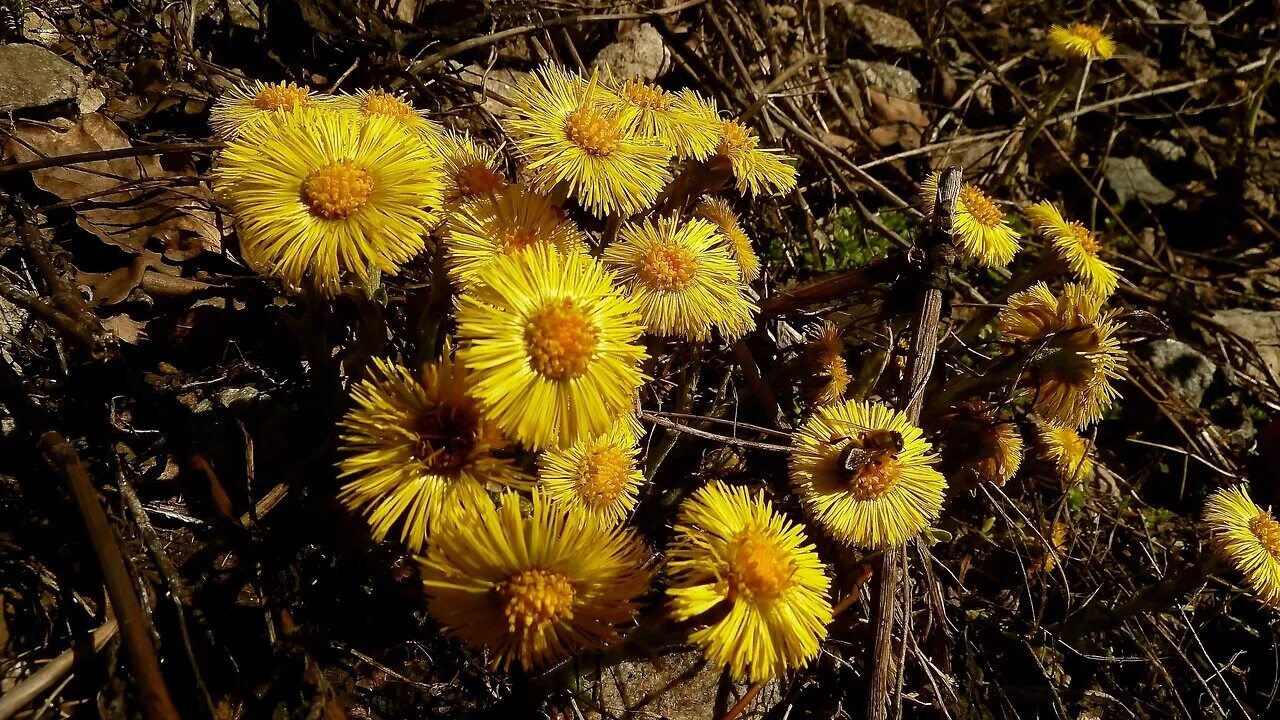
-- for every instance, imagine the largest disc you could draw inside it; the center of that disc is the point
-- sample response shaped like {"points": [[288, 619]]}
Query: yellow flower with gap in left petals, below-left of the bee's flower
{"points": [[755, 577]]}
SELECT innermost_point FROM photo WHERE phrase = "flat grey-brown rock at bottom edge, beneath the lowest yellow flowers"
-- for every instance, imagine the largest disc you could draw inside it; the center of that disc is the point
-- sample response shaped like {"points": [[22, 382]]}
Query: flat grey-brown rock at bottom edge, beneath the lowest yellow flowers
{"points": [[675, 687]]}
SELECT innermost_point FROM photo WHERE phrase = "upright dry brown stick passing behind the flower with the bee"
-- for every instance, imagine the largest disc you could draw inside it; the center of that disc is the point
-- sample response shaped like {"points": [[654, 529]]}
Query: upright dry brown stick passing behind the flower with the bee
{"points": [[925, 348]]}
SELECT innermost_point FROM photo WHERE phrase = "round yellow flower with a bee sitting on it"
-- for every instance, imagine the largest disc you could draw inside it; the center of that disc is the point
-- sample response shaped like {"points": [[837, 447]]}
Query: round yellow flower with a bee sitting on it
{"points": [[866, 475]]}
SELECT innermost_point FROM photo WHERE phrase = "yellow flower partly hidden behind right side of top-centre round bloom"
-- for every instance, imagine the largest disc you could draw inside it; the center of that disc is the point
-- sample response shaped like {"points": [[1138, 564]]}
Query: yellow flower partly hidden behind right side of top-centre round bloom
{"points": [[679, 121]]}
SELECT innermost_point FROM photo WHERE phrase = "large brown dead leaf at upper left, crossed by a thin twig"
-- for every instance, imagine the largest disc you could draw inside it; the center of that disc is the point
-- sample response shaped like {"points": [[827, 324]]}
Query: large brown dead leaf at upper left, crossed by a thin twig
{"points": [[129, 202]]}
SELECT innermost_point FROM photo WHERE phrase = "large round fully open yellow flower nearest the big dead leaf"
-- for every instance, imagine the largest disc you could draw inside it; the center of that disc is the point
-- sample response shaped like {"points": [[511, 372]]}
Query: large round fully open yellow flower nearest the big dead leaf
{"points": [[324, 194]]}
